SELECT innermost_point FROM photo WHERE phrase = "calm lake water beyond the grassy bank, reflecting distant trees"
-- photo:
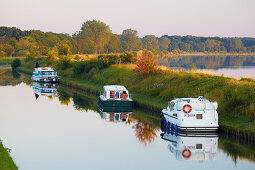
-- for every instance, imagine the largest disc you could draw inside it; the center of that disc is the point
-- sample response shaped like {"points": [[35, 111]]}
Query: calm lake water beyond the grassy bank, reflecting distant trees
{"points": [[229, 66]]}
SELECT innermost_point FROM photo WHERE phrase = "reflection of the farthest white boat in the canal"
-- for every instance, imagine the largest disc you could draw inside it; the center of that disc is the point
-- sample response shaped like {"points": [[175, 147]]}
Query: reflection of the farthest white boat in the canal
{"points": [[44, 89]]}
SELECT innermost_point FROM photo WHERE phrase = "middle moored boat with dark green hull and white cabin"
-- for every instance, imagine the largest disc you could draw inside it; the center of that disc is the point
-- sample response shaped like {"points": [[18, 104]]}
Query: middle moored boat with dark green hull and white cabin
{"points": [[115, 98]]}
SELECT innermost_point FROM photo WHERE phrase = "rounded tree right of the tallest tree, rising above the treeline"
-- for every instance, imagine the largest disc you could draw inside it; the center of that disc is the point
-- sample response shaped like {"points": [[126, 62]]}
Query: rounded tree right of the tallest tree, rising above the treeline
{"points": [[130, 41]]}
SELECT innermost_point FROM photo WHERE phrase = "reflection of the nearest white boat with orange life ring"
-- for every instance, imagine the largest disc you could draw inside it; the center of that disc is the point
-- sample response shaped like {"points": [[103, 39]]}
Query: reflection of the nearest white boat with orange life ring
{"points": [[196, 147]]}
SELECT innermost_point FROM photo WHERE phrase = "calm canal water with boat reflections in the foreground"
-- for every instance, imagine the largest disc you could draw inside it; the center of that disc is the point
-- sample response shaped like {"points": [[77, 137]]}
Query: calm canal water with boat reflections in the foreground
{"points": [[62, 129]]}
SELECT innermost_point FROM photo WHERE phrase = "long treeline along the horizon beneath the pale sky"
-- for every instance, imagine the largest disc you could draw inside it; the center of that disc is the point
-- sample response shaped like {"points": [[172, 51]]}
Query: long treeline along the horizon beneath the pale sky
{"points": [[95, 37]]}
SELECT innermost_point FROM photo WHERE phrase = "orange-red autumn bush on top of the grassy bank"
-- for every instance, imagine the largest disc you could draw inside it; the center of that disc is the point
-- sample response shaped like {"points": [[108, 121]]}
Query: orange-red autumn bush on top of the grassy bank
{"points": [[147, 63]]}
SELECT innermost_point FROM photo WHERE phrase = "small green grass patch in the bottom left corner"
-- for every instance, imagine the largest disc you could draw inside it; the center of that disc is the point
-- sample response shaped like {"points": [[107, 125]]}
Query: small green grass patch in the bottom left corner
{"points": [[6, 162]]}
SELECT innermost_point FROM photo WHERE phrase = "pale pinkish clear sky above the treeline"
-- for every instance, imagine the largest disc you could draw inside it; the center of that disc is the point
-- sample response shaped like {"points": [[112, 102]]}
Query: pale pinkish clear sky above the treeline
{"points": [[223, 18]]}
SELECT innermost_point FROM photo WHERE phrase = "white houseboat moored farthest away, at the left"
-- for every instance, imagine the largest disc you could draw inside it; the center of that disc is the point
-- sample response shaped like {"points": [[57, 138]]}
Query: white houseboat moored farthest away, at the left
{"points": [[44, 74]]}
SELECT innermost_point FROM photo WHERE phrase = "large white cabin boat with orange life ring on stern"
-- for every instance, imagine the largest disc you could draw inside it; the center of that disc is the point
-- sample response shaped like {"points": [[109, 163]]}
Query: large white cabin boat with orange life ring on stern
{"points": [[191, 115]]}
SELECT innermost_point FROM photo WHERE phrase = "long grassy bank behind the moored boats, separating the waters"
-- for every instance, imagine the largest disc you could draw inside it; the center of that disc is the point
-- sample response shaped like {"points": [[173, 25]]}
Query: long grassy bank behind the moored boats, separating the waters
{"points": [[236, 98]]}
